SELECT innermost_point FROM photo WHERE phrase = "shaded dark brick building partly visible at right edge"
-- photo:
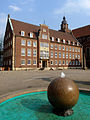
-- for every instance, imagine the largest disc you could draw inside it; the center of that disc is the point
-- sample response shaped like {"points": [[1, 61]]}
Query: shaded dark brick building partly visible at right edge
{"points": [[83, 36]]}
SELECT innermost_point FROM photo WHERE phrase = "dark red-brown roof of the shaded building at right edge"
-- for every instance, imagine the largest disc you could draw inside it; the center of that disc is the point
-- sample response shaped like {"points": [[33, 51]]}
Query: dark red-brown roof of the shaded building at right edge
{"points": [[80, 32]]}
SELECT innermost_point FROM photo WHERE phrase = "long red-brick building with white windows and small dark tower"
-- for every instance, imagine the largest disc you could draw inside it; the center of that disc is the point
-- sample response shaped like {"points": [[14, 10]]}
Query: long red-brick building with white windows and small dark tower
{"points": [[28, 46]]}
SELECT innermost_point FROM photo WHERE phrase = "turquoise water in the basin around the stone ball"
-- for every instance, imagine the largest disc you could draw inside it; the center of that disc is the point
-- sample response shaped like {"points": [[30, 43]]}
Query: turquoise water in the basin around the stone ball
{"points": [[35, 106]]}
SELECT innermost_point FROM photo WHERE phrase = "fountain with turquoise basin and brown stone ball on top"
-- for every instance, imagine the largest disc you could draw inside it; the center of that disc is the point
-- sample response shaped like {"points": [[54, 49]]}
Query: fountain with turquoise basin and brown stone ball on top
{"points": [[62, 94]]}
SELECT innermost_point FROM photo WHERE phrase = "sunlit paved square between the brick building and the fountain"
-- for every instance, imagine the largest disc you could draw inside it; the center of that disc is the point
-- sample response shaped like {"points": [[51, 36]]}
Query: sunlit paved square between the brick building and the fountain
{"points": [[11, 81]]}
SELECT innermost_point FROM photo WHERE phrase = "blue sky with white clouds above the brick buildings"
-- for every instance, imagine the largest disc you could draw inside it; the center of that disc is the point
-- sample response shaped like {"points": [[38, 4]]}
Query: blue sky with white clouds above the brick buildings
{"points": [[35, 12]]}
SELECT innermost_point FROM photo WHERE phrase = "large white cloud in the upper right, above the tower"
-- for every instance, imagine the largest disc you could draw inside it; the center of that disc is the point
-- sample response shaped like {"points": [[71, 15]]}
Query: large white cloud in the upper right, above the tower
{"points": [[74, 6]]}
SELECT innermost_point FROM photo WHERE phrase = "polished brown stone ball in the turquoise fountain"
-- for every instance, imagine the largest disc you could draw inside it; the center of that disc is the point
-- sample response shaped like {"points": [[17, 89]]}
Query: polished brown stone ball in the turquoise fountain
{"points": [[63, 93]]}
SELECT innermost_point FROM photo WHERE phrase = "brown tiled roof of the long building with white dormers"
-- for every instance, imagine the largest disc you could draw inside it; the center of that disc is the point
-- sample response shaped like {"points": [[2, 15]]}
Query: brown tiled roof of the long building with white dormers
{"points": [[21, 26]]}
